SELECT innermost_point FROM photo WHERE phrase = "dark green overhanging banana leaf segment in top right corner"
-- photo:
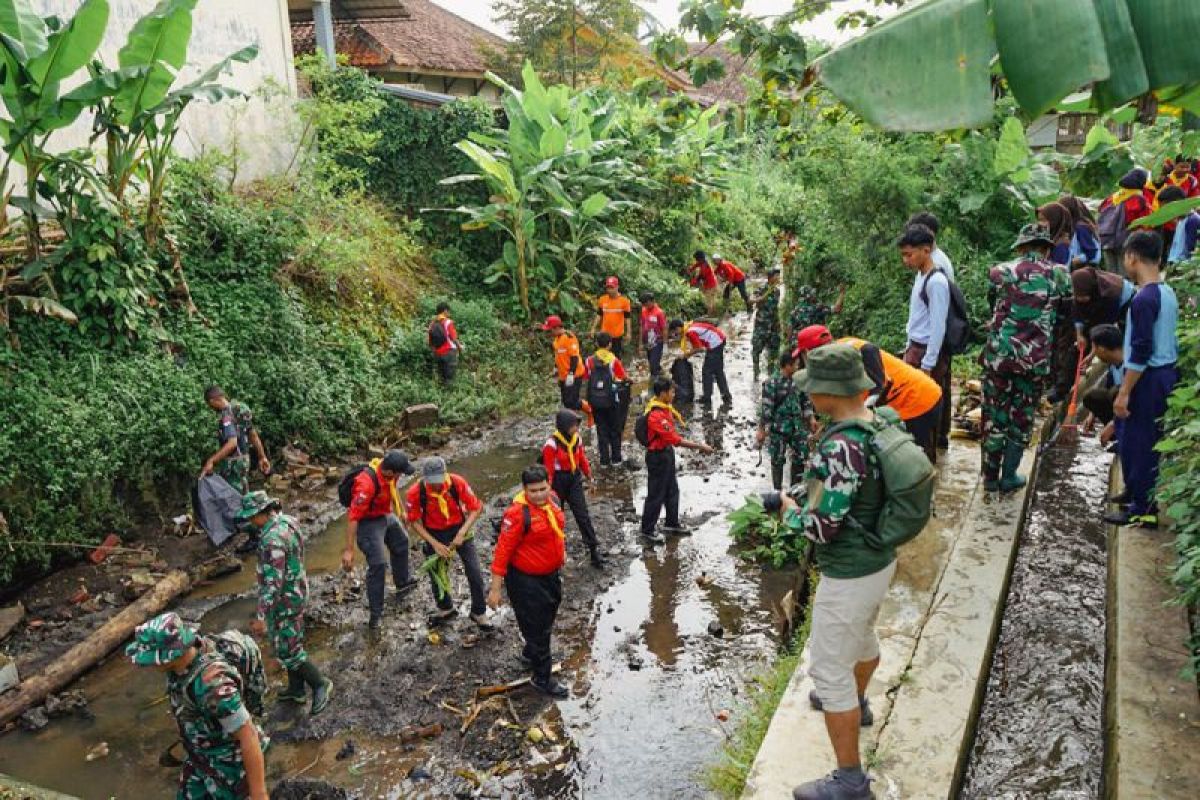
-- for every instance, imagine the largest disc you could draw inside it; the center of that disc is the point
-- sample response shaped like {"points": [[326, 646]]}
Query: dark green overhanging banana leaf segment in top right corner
{"points": [[1169, 32]]}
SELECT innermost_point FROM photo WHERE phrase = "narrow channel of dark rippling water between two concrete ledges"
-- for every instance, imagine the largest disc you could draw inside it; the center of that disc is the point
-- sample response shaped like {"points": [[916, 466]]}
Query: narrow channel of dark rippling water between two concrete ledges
{"points": [[1041, 730]]}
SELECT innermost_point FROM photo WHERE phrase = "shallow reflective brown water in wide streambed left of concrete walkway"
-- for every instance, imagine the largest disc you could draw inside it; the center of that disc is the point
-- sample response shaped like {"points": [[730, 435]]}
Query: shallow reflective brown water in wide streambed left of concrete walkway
{"points": [[649, 677]]}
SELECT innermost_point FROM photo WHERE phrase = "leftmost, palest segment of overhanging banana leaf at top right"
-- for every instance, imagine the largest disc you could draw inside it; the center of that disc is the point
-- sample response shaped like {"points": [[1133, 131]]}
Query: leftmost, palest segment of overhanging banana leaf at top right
{"points": [[925, 70]]}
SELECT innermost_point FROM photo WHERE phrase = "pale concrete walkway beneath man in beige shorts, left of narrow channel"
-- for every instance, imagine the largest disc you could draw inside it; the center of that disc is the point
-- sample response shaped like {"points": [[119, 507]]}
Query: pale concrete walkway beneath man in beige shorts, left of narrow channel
{"points": [[935, 631]]}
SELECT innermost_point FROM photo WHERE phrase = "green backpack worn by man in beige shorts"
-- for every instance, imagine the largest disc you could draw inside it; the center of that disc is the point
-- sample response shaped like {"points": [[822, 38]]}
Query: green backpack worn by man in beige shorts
{"points": [[908, 480]]}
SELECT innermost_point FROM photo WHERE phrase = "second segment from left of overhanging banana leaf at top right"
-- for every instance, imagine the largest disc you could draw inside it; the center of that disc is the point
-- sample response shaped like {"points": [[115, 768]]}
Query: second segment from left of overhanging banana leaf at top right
{"points": [[1048, 50]]}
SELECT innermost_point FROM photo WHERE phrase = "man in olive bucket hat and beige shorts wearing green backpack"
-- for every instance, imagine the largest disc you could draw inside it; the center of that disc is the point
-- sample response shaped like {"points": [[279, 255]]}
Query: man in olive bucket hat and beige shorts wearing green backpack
{"points": [[869, 491]]}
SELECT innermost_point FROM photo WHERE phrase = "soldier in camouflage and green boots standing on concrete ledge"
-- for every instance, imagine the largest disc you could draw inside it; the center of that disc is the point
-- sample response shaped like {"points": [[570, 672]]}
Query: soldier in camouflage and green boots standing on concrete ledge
{"points": [[1030, 297]]}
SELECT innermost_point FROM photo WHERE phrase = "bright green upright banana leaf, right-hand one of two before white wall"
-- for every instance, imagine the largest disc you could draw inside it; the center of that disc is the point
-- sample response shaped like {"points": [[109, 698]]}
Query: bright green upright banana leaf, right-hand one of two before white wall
{"points": [[159, 41]]}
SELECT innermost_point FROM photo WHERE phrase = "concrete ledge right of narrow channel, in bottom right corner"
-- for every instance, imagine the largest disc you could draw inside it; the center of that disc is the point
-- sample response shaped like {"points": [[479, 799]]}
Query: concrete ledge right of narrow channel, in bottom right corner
{"points": [[1154, 712]]}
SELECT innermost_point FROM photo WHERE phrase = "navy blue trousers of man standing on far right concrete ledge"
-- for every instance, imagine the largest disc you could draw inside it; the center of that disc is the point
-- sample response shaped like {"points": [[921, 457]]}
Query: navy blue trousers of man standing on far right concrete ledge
{"points": [[1141, 432]]}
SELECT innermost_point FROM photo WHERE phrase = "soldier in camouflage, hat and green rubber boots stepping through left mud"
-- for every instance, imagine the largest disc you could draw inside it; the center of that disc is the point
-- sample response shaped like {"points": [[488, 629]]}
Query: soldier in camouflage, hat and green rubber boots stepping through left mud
{"points": [[284, 598]]}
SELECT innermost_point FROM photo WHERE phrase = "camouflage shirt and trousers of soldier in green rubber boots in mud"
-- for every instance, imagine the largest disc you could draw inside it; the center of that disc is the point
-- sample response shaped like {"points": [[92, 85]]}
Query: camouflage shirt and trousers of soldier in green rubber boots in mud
{"points": [[284, 590]]}
